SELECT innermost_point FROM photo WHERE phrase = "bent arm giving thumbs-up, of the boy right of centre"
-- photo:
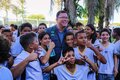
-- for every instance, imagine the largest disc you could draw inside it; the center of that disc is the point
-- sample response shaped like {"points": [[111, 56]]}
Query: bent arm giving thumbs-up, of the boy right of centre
{"points": [[99, 56]]}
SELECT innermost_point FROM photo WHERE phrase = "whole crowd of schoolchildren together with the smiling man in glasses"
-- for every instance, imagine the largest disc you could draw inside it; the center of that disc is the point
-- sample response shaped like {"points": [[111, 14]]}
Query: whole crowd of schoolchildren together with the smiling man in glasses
{"points": [[80, 54]]}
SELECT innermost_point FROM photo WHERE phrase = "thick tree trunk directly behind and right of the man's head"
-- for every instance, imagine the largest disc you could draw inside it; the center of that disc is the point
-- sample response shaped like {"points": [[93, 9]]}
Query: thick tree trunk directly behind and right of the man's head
{"points": [[71, 9]]}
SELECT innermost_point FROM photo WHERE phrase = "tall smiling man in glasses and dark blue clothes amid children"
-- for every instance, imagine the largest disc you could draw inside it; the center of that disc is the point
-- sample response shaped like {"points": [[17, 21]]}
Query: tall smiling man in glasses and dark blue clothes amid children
{"points": [[57, 33]]}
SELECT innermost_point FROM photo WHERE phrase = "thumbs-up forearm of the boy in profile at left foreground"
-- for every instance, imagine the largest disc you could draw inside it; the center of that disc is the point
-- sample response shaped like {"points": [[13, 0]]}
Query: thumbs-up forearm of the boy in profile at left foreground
{"points": [[19, 68]]}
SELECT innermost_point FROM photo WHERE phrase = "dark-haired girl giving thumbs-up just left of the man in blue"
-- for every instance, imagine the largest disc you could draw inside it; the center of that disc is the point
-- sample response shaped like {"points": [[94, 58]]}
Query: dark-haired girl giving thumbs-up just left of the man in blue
{"points": [[46, 52]]}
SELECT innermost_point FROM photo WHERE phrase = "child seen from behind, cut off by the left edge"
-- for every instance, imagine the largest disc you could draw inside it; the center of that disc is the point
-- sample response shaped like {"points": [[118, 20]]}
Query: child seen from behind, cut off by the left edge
{"points": [[5, 73]]}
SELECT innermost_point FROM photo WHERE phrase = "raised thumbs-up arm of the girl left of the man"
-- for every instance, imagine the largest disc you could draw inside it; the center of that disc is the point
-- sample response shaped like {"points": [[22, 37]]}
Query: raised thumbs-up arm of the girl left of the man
{"points": [[46, 57]]}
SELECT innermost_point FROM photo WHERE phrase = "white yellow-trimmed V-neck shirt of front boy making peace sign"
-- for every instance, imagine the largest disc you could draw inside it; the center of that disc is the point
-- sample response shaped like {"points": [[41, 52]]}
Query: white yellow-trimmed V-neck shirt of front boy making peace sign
{"points": [[64, 74]]}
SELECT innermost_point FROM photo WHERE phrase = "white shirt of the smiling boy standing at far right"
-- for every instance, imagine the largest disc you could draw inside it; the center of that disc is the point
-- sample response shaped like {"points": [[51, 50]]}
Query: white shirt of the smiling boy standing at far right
{"points": [[108, 52]]}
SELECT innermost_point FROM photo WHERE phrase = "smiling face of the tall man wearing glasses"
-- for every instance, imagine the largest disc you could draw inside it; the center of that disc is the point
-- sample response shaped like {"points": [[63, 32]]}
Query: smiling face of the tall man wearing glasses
{"points": [[62, 20]]}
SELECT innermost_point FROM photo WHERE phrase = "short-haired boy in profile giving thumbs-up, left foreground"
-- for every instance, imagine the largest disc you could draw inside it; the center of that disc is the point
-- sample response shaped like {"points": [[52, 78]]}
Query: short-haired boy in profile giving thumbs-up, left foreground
{"points": [[28, 59]]}
